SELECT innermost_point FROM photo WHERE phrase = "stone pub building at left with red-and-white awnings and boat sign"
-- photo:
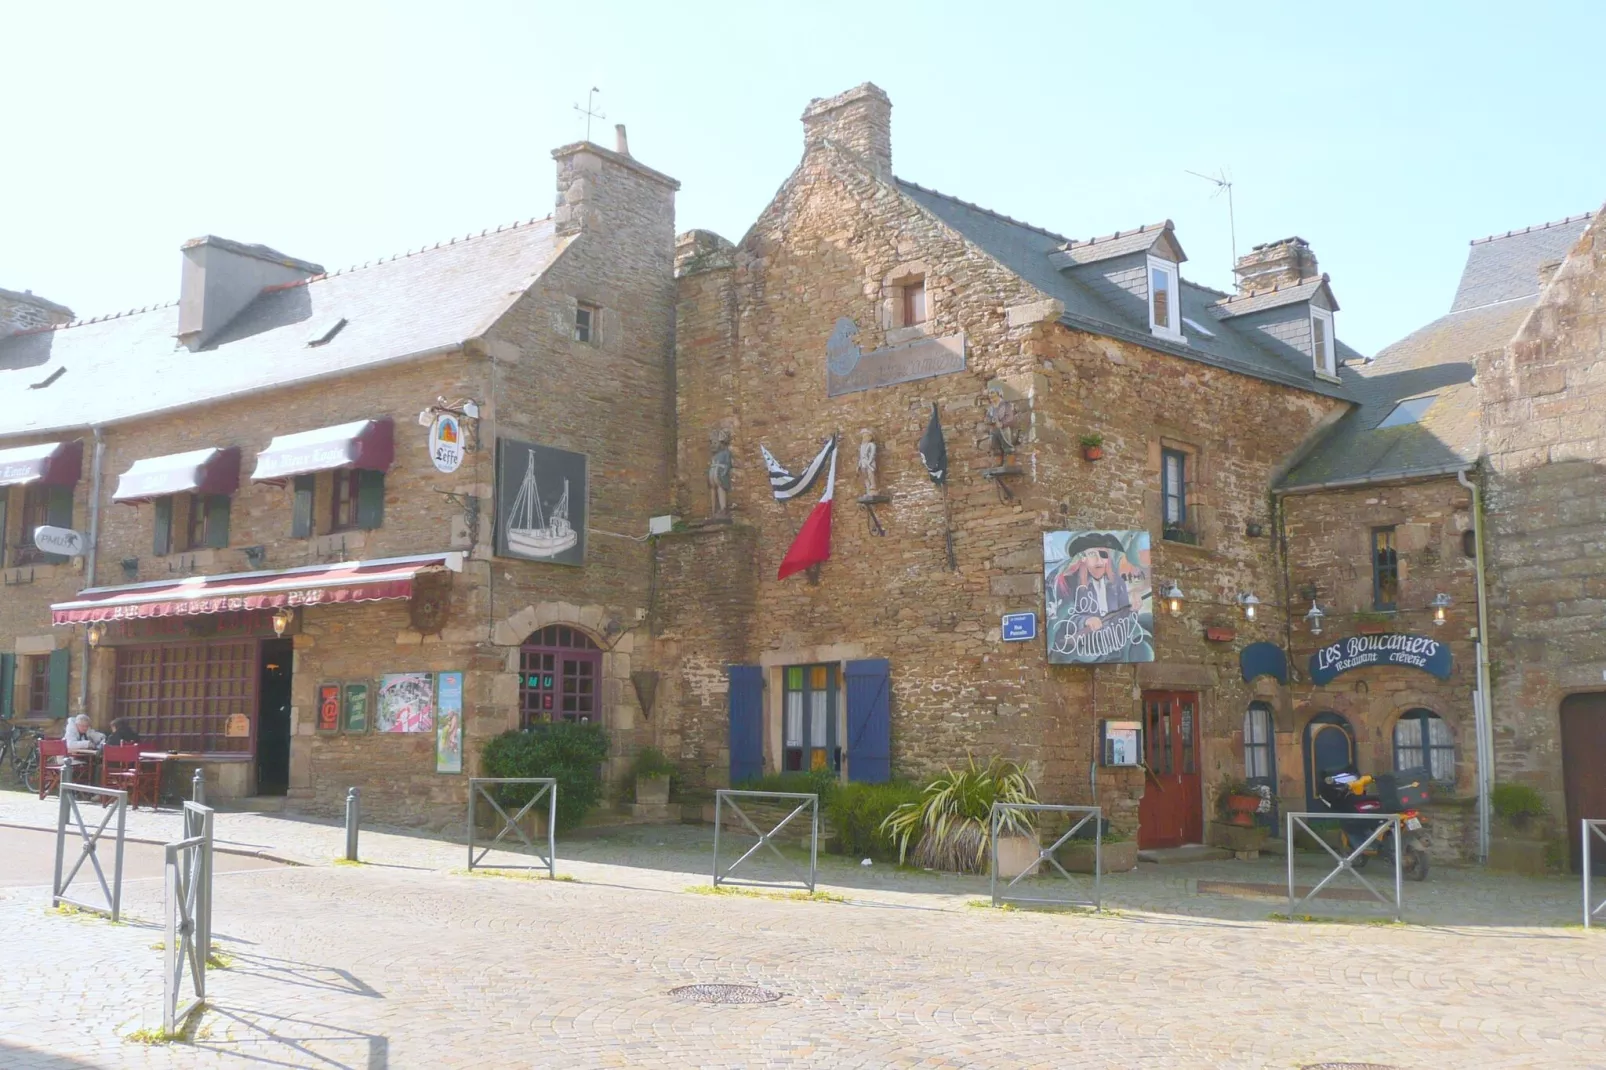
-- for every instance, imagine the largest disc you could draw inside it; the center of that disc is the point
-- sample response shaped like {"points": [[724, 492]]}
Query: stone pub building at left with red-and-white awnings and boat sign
{"points": [[340, 528]]}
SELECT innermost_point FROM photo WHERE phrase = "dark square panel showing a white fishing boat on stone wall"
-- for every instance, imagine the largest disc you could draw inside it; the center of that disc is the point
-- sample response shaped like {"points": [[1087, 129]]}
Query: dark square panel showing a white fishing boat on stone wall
{"points": [[540, 504]]}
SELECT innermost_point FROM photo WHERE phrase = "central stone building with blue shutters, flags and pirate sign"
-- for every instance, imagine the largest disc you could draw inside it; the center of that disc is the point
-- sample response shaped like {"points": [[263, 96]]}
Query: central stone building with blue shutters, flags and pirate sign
{"points": [[857, 306]]}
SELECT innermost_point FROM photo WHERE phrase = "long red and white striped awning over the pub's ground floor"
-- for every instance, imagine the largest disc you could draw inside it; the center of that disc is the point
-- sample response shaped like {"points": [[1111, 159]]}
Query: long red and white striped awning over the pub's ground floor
{"points": [[312, 586]]}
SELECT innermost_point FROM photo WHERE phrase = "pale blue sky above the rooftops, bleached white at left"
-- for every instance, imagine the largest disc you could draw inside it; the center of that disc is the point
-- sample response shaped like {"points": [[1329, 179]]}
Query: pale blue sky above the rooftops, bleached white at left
{"points": [[1385, 134]]}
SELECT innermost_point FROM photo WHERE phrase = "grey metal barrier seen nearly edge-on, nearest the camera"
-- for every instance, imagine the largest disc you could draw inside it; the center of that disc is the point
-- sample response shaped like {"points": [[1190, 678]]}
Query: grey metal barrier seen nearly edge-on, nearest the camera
{"points": [[189, 909]]}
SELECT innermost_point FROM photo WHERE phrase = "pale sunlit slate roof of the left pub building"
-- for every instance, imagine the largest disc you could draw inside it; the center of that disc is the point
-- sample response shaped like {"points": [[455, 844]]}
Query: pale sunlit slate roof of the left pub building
{"points": [[426, 301]]}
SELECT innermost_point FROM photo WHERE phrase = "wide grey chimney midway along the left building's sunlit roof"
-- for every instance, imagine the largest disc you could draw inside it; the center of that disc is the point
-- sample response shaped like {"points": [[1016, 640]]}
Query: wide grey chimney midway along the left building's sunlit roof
{"points": [[222, 277]]}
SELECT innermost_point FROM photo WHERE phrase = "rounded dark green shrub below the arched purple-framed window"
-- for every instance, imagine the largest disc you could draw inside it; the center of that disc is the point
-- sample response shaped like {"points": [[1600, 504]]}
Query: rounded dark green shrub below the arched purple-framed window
{"points": [[571, 754]]}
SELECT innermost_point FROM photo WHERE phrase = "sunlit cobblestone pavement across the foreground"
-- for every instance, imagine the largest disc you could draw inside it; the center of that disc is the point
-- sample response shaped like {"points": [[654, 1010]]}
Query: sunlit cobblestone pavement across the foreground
{"points": [[412, 963]]}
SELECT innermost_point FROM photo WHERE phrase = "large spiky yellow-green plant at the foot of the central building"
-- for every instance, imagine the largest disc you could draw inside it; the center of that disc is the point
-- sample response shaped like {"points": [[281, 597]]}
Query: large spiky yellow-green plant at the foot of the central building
{"points": [[950, 827]]}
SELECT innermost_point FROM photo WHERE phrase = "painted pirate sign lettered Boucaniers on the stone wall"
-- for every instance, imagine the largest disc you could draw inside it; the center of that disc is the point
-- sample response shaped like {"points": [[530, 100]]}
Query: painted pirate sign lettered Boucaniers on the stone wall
{"points": [[1099, 598]]}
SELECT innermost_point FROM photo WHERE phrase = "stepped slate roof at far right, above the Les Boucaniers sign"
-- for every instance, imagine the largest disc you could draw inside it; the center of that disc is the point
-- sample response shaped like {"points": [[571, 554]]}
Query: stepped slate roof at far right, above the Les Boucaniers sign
{"points": [[1438, 361]]}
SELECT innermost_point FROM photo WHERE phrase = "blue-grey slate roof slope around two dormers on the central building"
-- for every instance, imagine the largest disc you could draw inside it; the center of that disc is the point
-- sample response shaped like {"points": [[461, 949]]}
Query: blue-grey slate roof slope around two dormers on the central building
{"points": [[1029, 251]]}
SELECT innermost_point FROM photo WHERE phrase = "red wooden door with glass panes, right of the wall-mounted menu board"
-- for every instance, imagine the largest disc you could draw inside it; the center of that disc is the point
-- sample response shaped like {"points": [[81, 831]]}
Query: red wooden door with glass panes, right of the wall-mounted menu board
{"points": [[1172, 812]]}
